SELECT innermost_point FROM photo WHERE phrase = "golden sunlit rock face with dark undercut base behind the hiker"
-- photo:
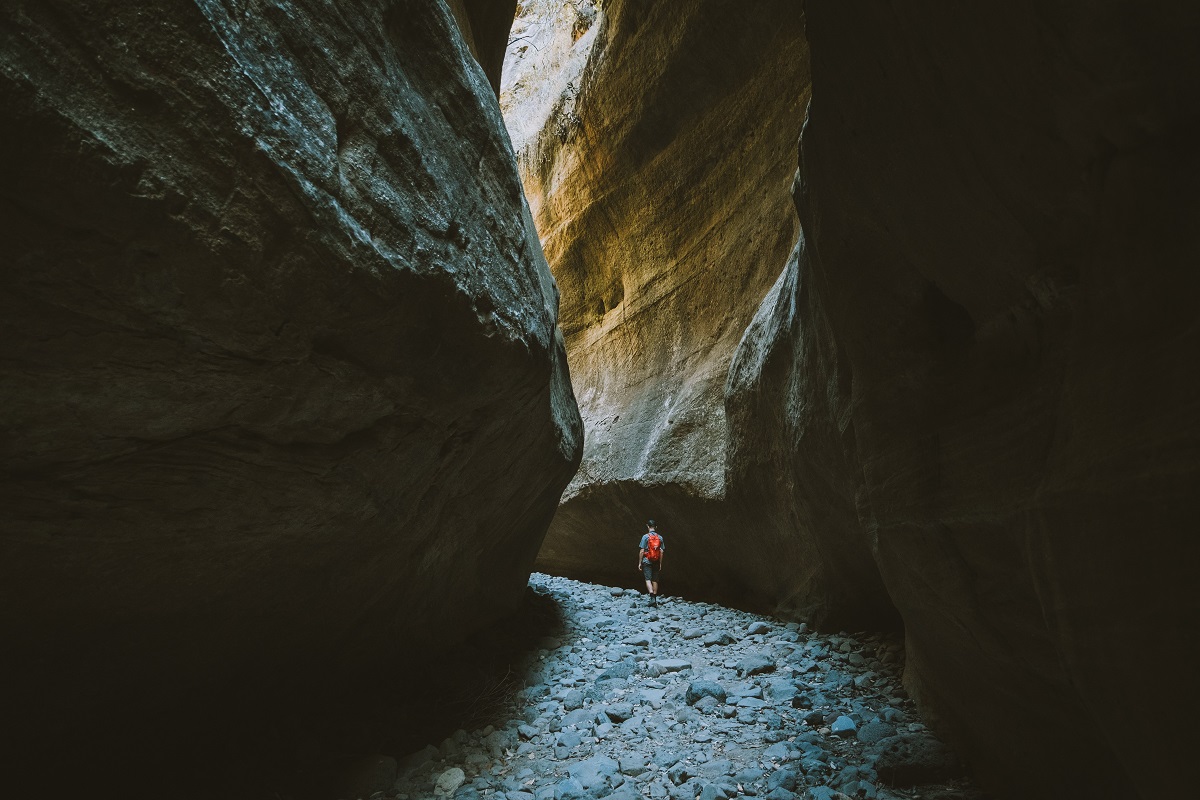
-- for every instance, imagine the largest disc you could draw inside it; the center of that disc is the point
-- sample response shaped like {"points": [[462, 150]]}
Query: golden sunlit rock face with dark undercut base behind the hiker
{"points": [[658, 183]]}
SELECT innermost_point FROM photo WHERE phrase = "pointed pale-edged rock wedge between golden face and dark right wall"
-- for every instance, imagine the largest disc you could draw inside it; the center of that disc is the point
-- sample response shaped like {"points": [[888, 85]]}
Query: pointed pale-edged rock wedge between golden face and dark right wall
{"points": [[793, 467]]}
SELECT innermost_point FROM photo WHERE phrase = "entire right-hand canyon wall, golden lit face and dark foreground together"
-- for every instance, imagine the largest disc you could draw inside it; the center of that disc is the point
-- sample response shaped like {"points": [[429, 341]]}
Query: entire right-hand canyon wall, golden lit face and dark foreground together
{"points": [[970, 400]]}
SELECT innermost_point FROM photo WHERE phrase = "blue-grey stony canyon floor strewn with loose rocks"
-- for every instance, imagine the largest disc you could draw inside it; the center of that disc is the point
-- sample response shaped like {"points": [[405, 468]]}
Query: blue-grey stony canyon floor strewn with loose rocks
{"points": [[688, 701]]}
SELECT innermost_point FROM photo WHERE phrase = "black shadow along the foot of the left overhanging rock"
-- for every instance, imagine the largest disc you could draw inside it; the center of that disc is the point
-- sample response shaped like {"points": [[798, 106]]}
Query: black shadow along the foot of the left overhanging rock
{"points": [[314, 742]]}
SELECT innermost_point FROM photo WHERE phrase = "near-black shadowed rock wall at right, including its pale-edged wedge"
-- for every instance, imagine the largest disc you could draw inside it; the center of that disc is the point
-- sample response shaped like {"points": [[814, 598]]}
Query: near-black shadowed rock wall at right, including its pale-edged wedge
{"points": [[986, 347]]}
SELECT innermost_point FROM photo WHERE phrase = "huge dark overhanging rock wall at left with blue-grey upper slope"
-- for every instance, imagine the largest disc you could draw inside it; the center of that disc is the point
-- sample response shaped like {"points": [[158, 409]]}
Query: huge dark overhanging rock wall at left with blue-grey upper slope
{"points": [[283, 384]]}
